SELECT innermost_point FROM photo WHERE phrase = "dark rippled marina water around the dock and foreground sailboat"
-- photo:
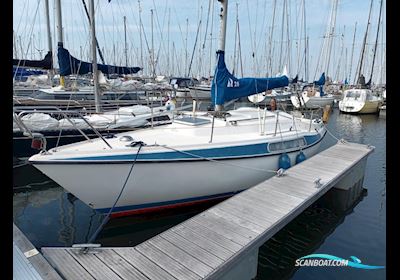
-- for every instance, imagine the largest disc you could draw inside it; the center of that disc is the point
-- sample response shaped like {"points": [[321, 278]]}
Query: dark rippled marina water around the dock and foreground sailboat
{"points": [[51, 217]]}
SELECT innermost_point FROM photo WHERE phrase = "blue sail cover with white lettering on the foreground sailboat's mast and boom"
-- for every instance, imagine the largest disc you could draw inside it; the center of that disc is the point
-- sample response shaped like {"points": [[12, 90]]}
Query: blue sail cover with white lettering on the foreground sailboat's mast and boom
{"points": [[226, 87]]}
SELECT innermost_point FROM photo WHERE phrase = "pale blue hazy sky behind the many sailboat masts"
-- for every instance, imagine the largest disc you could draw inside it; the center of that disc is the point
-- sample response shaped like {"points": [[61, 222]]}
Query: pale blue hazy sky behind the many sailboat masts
{"points": [[177, 23]]}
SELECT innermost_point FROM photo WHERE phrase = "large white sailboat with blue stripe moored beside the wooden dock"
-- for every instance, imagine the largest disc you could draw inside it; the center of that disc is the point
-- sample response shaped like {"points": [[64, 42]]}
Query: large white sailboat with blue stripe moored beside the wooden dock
{"points": [[199, 157]]}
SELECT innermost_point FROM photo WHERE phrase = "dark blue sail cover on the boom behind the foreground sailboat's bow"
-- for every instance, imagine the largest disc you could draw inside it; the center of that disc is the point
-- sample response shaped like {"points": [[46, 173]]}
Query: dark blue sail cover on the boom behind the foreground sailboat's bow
{"points": [[71, 65]]}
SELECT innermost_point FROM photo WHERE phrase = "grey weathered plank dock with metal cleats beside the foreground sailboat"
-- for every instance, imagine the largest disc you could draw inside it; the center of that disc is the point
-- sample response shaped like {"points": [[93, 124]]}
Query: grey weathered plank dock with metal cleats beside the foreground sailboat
{"points": [[221, 242]]}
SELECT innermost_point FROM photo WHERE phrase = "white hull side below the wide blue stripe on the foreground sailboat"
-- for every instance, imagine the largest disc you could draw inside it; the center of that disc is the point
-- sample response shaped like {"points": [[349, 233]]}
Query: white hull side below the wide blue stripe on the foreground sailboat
{"points": [[157, 185]]}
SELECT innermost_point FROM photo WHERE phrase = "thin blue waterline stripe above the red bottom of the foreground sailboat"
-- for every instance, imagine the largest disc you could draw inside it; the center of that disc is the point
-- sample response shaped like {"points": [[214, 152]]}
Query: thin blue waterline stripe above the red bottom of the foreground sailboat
{"points": [[165, 203]]}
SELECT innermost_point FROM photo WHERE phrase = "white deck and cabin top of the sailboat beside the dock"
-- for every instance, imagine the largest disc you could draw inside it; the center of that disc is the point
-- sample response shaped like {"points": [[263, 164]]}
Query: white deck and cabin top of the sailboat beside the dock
{"points": [[245, 126]]}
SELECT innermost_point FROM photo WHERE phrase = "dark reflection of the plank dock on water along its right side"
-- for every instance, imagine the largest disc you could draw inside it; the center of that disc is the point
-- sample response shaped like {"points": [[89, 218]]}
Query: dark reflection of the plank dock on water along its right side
{"points": [[307, 232]]}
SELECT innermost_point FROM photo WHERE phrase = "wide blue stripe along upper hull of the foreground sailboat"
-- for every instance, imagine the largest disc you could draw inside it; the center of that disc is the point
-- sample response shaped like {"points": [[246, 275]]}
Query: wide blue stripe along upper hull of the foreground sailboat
{"points": [[214, 153]]}
